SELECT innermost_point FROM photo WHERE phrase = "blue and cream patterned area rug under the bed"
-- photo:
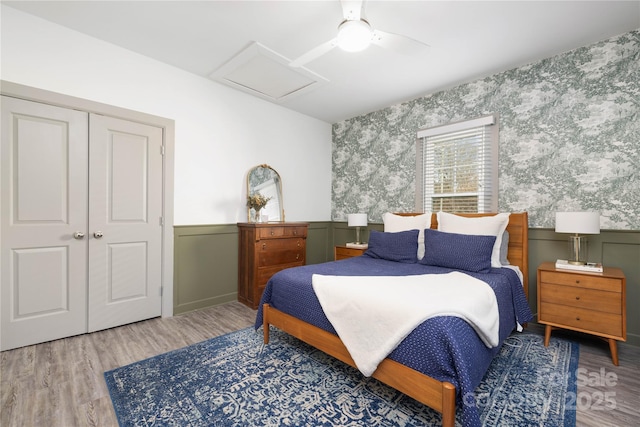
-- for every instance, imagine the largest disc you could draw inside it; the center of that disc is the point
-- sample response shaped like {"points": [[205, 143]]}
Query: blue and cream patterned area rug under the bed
{"points": [[235, 380]]}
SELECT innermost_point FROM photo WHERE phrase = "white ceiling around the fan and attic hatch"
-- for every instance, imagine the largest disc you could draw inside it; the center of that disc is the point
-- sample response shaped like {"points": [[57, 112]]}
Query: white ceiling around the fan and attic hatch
{"points": [[468, 39]]}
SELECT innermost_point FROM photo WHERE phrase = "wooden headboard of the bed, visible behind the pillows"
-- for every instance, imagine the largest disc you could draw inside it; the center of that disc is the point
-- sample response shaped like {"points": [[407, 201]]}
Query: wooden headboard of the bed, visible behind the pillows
{"points": [[518, 228]]}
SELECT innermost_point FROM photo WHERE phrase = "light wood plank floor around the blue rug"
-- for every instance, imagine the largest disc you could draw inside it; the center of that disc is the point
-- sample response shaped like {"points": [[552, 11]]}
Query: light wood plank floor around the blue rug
{"points": [[61, 383]]}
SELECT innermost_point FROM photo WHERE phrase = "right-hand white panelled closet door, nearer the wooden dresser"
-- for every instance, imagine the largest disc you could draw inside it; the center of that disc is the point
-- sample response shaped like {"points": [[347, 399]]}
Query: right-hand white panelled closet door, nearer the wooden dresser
{"points": [[125, 222]]}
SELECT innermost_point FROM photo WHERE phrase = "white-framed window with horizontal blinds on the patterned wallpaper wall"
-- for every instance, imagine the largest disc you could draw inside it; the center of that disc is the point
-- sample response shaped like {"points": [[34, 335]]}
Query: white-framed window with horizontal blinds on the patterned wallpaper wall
{"points": [[457, 167]]}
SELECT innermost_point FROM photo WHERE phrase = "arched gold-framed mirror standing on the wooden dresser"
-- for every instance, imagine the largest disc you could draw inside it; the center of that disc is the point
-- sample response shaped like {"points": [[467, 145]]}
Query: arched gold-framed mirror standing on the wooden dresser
{"points": [[266, 181]]}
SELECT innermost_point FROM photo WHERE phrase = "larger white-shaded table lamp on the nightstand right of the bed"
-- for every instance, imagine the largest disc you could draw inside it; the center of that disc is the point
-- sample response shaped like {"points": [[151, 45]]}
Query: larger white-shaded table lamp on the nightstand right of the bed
{"points": [[578, 223]]}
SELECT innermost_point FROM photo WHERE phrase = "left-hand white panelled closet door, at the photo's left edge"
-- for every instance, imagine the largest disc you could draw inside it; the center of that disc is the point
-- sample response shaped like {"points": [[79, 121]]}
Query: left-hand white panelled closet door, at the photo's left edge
{"points": [[43, 181]]}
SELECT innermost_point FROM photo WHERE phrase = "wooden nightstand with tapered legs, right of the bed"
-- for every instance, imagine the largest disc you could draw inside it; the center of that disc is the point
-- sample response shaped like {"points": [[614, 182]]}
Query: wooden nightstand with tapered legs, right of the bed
{"points": [[594, 303]]}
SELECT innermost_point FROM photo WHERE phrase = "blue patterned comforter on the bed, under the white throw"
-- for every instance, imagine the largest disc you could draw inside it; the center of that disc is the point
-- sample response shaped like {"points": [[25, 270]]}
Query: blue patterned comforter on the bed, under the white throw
{"points": [[445, 348]]}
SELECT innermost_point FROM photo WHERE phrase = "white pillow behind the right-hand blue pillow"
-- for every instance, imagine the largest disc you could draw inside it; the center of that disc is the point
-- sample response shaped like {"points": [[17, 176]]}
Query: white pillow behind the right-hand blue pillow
{"points": [[484, 225]]}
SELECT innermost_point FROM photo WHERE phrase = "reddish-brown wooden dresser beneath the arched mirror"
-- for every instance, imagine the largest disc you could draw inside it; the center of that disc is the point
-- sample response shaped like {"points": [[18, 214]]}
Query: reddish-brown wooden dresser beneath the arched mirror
{"points": [[265, 249]]}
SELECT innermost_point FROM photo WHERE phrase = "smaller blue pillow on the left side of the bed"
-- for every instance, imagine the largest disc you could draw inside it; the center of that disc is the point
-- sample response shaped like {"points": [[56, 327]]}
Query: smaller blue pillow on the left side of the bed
{"points": [[401, 246]]}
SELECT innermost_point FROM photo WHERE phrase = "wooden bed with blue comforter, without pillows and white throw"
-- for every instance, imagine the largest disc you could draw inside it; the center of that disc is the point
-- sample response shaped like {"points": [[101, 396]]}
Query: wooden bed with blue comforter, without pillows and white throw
{"points": [[443, 379]]}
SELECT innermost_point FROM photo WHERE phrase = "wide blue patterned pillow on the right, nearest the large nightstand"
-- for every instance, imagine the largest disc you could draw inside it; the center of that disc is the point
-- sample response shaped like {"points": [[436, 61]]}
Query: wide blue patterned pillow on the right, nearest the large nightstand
{"points": [[460, 251]]}
